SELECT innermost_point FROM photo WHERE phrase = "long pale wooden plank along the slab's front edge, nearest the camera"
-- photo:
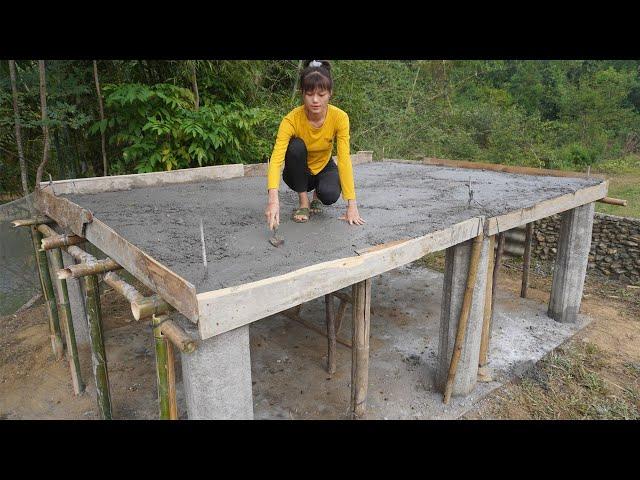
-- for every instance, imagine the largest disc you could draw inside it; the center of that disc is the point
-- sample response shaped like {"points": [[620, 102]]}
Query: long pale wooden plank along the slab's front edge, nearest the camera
{"points": [[229, 308]]}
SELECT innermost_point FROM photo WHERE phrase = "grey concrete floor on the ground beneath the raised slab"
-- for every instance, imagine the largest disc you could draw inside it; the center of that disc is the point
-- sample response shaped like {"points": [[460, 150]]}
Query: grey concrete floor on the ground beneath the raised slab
{"points": [[288, 360]]}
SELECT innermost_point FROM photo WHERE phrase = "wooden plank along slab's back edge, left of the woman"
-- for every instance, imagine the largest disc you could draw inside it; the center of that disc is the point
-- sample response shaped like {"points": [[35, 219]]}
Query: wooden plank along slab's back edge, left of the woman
{"points": [[141, 180]]}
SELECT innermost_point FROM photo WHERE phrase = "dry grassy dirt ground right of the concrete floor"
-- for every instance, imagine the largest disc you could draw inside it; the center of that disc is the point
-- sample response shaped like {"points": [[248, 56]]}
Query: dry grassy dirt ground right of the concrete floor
{"points": [[593, 375]]}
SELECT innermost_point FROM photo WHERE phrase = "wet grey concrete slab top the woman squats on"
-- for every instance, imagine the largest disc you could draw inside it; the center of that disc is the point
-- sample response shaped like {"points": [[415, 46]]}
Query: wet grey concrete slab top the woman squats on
{"points": [[397, 200]]}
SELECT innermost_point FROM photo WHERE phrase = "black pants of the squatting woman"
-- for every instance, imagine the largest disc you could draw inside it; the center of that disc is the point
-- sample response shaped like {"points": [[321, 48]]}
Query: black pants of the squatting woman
{"points": [[297, 176]]}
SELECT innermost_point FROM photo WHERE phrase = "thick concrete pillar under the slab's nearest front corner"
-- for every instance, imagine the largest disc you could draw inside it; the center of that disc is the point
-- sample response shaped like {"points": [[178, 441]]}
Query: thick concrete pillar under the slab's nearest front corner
{"points": [[217, 377]]}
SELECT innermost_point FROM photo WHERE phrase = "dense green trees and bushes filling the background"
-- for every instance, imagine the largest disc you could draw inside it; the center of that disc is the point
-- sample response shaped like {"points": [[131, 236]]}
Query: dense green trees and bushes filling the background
{"points": [[557, 114]]}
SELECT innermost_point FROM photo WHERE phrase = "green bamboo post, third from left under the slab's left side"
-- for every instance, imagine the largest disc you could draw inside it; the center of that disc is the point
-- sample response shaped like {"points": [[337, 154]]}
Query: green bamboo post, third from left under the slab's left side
{"points": [[98, 354]]}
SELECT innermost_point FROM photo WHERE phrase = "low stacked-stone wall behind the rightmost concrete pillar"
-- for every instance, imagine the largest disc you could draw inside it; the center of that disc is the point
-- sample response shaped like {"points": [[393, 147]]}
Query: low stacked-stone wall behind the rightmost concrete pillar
{"points": [[615, 245]]}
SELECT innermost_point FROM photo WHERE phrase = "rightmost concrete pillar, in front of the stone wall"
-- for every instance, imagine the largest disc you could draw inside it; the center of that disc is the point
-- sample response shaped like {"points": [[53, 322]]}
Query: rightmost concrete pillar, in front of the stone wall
{"points": [[570, 266]]}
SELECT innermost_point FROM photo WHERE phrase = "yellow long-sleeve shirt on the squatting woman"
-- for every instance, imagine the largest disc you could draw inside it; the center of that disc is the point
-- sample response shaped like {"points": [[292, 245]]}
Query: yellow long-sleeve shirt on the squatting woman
{"points": [[319, 142]]}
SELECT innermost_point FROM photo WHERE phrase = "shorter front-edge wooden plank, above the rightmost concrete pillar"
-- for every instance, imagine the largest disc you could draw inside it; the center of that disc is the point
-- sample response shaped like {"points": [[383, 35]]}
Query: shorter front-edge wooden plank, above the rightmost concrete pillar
{"points": [[546, 208]]}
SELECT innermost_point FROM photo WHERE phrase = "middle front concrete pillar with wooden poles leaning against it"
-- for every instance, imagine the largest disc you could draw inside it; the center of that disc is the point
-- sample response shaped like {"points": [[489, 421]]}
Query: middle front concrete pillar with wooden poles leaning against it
{"points": [[455, 282]]}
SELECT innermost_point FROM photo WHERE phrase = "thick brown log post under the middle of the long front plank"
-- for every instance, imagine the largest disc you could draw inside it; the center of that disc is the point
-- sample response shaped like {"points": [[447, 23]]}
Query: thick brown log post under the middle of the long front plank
{"points": [[361, 295]]}
